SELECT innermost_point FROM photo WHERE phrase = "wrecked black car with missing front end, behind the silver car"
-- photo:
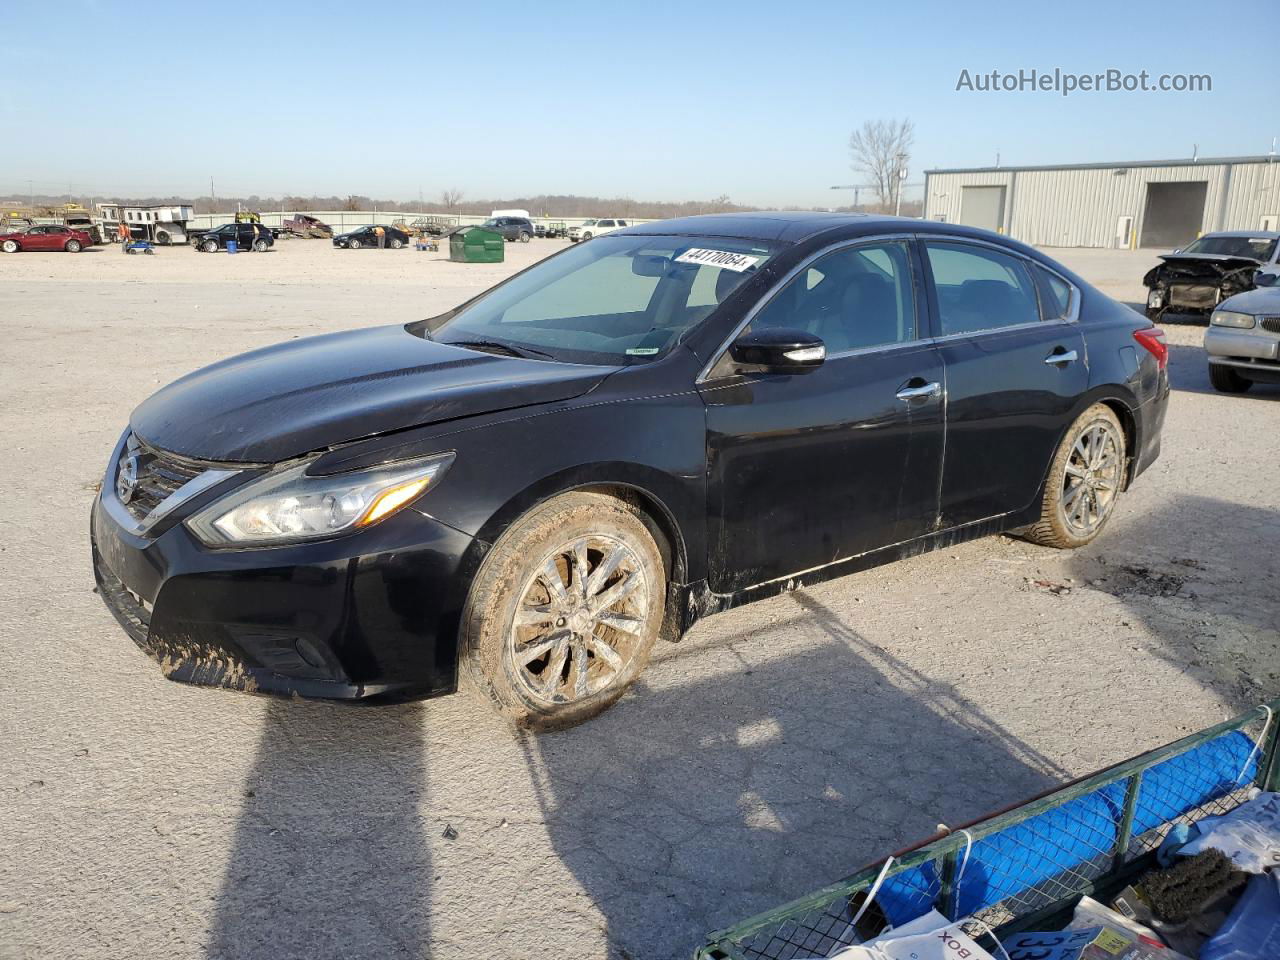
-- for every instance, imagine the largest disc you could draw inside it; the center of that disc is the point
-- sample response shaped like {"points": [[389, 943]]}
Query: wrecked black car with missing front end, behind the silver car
{"points": [[1201, 276]]}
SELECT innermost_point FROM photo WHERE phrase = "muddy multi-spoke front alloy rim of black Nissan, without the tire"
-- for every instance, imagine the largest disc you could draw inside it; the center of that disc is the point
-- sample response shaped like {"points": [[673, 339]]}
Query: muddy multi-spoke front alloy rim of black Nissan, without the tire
{"points": [[579, 621]]}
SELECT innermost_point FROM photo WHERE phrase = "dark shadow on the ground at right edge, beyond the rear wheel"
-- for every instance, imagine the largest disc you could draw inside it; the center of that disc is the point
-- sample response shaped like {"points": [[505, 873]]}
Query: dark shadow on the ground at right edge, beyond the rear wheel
{"points": [[1209, 598]]}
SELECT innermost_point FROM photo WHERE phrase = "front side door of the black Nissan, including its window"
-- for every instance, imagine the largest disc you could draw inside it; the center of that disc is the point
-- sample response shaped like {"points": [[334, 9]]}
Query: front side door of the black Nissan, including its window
{"points": [[810, 469]]}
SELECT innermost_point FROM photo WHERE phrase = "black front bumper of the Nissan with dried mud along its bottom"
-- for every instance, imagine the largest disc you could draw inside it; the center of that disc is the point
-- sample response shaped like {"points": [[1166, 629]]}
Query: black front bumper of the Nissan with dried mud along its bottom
{"points": [[363, 616]]}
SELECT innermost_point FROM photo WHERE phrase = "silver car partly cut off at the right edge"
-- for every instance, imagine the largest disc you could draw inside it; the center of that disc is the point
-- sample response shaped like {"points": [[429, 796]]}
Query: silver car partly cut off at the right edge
{"points": [[1244, 341]]}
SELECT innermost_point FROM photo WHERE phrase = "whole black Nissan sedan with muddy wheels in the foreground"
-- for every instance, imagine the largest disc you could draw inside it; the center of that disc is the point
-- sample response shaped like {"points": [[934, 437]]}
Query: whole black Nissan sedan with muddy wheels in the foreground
{"points": [[662, 424]]}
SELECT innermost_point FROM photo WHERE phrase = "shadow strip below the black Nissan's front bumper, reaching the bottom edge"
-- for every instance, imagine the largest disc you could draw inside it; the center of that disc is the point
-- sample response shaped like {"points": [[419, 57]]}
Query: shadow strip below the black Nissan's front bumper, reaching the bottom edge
{"points": [[310, 872]]}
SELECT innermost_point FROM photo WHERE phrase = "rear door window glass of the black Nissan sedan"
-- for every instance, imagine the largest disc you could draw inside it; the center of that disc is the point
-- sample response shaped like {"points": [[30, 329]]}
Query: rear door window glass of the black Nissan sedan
{"points": [[981, 289]]}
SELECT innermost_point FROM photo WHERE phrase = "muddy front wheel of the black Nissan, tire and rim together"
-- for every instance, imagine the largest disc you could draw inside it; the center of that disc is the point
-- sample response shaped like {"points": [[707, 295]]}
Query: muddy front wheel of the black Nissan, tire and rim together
{"points": [[547, 692]]}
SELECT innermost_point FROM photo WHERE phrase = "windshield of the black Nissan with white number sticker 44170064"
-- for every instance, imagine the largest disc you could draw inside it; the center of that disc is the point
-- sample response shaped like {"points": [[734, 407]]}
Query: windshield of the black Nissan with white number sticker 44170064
{"points": [[616, 300]]}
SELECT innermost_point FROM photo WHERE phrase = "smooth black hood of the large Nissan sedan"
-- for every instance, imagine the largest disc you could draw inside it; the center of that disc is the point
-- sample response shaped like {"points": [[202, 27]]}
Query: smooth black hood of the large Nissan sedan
{"points": [[298, 397]]}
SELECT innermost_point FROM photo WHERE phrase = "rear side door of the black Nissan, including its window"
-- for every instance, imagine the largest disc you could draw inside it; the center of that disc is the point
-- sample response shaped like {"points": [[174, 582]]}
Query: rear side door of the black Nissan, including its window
{"points": [[1014, 373]]}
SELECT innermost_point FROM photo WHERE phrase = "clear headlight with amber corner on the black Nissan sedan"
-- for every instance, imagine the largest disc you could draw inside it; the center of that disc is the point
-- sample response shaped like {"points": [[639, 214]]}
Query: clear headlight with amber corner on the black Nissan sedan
{"points": [[290, 506]]}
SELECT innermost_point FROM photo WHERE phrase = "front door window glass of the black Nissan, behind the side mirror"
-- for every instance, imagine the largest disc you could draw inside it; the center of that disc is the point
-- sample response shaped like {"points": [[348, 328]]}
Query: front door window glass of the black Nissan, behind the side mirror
{"points": [[852, 299]]}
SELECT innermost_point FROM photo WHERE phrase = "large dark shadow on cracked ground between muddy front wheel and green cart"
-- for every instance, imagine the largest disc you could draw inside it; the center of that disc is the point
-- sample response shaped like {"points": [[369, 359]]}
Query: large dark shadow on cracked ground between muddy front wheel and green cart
{"points": [[707, 802]]}
